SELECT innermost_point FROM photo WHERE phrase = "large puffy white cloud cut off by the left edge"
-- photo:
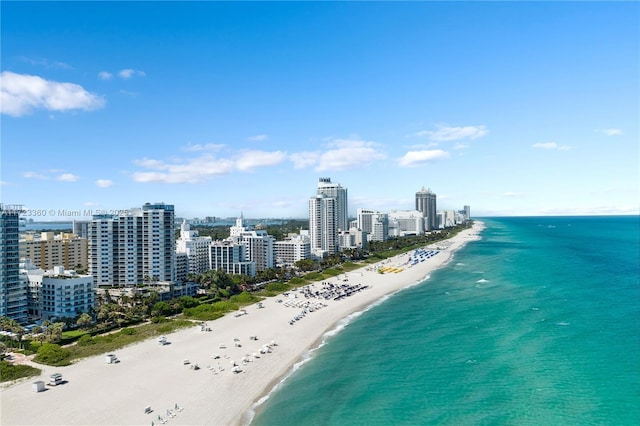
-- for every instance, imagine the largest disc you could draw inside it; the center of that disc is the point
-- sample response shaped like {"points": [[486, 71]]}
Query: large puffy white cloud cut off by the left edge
{"points": [[21, 93]]}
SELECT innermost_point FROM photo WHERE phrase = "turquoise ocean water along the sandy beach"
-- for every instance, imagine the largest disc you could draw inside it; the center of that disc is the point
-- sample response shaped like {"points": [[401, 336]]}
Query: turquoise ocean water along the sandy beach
{"points": [[537, 323]]}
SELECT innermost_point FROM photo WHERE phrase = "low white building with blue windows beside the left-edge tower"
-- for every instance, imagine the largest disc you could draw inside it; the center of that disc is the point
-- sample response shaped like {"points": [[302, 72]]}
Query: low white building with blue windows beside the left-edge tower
{"points": [[57, 293]]}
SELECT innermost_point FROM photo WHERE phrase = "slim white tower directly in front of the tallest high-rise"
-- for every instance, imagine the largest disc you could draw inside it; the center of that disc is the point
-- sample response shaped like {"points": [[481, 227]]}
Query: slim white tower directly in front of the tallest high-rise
{"points": [[323, 227]]}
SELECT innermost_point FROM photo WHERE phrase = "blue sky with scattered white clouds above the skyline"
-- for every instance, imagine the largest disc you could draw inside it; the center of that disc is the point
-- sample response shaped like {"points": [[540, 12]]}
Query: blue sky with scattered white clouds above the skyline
{"points": [[514, 108]]}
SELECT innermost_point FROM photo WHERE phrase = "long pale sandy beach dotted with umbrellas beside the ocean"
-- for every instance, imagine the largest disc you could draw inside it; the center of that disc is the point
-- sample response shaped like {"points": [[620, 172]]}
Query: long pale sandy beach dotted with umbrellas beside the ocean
{"points": [[264, 344]]}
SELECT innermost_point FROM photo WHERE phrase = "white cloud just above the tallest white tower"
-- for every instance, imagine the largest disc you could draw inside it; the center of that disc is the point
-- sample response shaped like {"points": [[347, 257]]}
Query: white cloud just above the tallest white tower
{"points": [[342, 154]]}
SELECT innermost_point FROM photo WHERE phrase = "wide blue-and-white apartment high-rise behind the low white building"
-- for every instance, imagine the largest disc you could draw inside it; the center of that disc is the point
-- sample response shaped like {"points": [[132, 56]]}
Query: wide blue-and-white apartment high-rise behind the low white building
{"points": [[133, 247]]}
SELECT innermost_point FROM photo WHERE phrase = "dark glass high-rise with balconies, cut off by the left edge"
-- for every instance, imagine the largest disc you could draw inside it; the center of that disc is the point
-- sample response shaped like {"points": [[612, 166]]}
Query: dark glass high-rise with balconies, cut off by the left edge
{"points": [[13, 291]]}
